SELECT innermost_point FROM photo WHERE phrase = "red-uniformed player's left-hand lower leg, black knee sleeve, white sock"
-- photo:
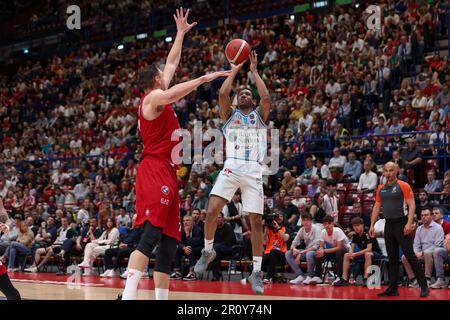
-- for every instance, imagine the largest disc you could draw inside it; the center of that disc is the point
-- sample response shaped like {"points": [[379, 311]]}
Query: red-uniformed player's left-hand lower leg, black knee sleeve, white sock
{"points": [[138, 261]]}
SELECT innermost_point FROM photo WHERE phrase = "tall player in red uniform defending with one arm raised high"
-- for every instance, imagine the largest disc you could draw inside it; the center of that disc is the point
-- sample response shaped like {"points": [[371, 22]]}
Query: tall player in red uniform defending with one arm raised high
{"points": [[157, 196]]}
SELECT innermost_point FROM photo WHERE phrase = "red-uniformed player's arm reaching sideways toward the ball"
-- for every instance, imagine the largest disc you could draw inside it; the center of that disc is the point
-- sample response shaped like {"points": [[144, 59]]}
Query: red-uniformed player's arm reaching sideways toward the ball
{"points": [[161, 97]]}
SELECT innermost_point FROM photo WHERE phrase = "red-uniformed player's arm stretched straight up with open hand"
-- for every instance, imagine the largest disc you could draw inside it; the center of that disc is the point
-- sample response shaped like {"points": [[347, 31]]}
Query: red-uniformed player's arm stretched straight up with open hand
{"points": [[173, 59]]}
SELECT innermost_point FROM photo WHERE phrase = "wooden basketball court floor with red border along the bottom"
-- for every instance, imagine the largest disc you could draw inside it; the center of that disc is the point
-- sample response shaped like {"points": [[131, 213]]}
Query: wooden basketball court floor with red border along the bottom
{"points": [[47, 286]]}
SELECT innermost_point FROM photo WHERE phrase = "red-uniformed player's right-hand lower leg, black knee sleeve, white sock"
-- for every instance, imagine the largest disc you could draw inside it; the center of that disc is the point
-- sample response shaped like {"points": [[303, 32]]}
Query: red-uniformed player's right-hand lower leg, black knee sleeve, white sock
{"points": [[161, 275]]}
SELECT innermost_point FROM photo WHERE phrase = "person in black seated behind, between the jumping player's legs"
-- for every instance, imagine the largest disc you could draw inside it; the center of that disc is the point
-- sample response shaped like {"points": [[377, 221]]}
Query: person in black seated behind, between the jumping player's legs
{"points": [[224, 239]]}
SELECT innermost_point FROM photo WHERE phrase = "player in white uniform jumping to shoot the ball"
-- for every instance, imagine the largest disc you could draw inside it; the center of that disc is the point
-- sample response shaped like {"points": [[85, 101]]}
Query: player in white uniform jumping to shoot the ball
{"points": [[245, 131]]}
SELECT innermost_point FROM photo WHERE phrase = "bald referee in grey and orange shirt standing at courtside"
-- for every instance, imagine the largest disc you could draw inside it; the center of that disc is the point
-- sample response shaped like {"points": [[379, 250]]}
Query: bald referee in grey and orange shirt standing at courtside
{"points": [[393, 198]]}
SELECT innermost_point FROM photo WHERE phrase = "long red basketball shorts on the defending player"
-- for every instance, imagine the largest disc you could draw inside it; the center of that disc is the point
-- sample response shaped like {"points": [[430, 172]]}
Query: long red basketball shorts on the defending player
{"points": [[157, 197]]}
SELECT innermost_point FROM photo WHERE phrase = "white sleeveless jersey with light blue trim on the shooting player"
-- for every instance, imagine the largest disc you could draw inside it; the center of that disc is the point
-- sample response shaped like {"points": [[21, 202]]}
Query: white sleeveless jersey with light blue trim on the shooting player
{"points": [[246, 141]]}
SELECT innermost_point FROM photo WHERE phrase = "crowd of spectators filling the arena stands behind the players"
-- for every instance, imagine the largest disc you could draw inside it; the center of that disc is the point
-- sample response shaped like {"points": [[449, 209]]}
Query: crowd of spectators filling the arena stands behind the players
{"points": [[70, 142]]}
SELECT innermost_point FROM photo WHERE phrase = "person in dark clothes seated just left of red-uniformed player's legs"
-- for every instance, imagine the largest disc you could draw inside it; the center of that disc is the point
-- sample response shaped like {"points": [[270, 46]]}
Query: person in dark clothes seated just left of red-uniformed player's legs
{"points": [[127, 244]]}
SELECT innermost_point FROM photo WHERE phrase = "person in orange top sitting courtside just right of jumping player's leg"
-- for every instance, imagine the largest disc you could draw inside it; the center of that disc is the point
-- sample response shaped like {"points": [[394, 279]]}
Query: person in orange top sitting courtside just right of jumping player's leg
{"points": [[276, 239]]}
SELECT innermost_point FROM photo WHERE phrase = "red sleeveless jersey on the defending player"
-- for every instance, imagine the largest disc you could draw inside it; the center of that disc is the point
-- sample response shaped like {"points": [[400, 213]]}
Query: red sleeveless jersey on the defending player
{"points": [[158, 135]]}
